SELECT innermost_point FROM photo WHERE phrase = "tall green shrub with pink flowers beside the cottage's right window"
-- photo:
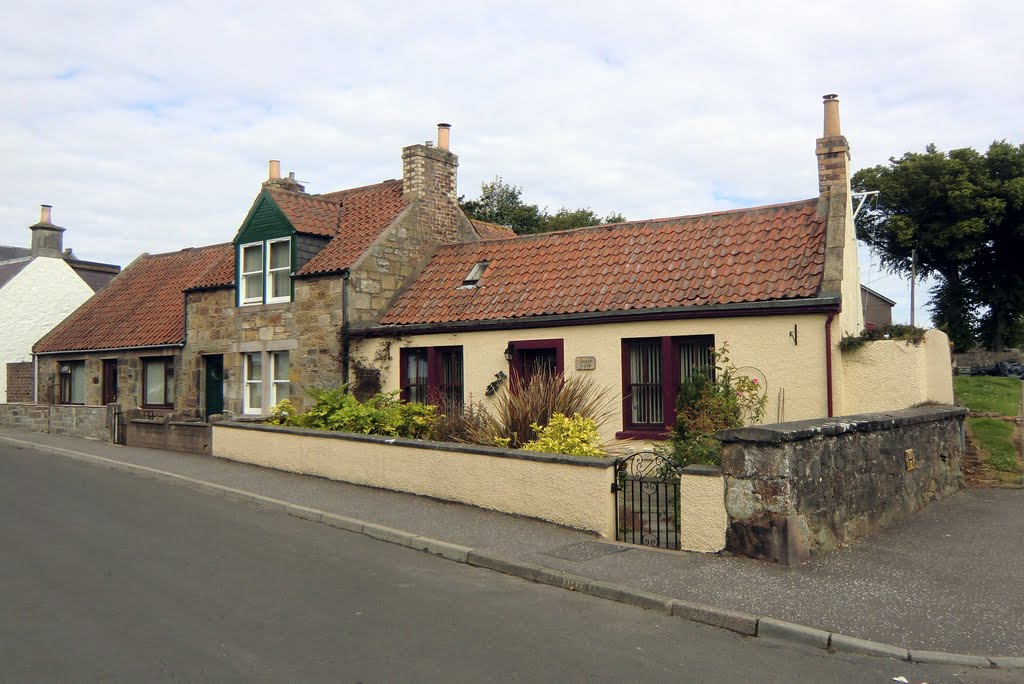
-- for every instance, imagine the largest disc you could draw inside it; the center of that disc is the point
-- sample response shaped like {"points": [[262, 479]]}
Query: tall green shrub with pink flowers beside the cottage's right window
{"points": [[711, 402]]}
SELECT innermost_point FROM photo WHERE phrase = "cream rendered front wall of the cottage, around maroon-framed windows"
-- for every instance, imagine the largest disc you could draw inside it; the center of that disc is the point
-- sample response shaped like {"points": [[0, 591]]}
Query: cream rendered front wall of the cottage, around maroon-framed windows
{"points": [[764, 344]]}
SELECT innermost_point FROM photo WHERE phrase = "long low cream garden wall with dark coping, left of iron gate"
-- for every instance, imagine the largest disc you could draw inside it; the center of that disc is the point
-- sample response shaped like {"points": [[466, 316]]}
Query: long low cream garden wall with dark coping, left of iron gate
{"points": [[571, 491]]}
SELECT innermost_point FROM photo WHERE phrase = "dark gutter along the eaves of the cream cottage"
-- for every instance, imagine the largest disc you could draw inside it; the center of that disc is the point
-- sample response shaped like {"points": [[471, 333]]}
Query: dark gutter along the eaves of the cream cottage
{"points": [[829, 306]]}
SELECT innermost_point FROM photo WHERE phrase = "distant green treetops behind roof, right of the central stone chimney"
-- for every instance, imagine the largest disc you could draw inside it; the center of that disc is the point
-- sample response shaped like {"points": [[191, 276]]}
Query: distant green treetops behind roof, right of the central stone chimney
{"points": [[502, 203]]}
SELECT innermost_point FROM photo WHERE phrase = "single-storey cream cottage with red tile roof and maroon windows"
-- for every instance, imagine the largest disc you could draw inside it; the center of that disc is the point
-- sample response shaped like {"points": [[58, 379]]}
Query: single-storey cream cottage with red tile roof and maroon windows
{"points": [[638, 305]]}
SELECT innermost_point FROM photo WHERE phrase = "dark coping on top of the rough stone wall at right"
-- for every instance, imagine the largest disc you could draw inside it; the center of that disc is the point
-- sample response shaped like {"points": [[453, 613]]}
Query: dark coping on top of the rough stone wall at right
{"points": [[798, 431]]}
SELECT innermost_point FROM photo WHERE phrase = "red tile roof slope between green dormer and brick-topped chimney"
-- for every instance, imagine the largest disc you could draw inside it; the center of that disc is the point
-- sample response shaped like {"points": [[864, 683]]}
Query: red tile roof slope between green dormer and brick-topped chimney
{"points": [[365, 215]]}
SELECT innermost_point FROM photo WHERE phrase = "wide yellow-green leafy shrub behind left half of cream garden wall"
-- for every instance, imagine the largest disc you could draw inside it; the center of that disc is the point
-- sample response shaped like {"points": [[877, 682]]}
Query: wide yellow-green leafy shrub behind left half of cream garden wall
{"points": [[337, 410]]}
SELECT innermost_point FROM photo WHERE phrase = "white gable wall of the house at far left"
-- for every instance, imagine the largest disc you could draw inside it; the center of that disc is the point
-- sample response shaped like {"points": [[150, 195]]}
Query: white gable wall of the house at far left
{"points": [[33, 304]]}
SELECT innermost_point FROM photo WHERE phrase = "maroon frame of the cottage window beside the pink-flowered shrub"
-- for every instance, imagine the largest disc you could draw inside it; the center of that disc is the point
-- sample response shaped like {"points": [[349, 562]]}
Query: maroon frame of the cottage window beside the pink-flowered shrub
{"points": [[670, 349]]}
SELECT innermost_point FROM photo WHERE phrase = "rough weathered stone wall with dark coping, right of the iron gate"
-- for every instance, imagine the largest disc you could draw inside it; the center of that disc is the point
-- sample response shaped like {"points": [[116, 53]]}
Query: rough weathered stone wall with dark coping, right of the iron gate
{"points": [[803, 488]]}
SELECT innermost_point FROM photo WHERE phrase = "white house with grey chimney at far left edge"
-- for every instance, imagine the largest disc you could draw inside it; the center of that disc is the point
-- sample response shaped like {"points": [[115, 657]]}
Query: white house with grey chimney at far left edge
{"points": [[39, 288]]}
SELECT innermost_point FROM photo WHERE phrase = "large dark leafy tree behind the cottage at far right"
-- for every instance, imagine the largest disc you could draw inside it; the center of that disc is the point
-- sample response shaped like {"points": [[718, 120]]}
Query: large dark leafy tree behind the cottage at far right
{"points": [[961, 215]]}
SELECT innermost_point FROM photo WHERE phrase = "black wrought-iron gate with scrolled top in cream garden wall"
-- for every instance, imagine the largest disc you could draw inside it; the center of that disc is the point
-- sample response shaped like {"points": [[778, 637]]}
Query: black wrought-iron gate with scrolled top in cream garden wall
{"points": [[647, 490]]}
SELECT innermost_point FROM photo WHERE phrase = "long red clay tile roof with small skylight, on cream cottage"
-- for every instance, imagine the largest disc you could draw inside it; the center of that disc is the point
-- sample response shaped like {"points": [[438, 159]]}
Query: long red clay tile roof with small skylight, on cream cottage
{"points": [[748, 255]]}
